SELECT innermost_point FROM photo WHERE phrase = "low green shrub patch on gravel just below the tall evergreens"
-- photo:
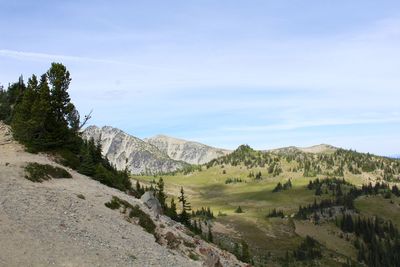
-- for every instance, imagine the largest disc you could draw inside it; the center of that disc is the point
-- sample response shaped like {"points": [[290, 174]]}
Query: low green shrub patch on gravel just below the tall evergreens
{"points": [[36, 172]]}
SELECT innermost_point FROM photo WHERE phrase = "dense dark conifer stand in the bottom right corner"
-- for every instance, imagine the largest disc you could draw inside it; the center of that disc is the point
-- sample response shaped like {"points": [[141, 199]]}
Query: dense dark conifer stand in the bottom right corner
{"points": [[377, 241]]}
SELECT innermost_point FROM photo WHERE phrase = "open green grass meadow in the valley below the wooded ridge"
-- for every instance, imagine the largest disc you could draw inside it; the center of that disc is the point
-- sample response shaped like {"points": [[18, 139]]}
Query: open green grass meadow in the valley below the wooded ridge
{"points": [[207, 188]]}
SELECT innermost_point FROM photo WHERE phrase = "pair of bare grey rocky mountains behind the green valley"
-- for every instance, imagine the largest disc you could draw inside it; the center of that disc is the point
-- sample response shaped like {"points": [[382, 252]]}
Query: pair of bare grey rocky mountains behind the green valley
{"points": [[158, 154]]}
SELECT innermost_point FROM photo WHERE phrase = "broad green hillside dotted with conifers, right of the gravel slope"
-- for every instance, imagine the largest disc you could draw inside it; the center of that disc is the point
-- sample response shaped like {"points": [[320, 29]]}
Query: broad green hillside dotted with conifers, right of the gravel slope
{"points": [[250, 179]]}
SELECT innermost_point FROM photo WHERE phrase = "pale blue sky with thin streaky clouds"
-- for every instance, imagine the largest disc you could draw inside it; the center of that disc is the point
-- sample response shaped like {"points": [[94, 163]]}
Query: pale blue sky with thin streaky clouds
{"points": [[229, 72]]}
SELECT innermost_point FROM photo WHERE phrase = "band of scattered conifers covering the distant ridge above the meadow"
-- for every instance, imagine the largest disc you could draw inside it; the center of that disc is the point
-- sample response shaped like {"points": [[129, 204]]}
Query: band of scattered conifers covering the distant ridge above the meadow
{"points": [[333, 164]]}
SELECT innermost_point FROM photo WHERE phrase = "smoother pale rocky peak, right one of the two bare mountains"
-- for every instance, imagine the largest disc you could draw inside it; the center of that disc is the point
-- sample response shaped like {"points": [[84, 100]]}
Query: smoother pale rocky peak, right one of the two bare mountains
{"points": [[187, 151]]}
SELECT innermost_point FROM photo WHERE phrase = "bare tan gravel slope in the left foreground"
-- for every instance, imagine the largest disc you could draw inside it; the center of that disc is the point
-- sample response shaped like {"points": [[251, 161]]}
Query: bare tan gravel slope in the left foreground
{"points": [[64, 222]]}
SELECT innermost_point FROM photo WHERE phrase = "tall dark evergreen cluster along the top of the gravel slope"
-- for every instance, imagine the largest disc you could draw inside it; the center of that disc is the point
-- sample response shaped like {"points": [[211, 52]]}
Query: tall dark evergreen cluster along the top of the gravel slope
{"points": [[43, 118]]}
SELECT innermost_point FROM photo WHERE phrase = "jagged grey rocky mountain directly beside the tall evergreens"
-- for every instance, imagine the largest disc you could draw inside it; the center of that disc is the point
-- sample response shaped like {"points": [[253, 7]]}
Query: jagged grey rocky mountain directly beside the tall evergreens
{"points": [[124, 150]]}
